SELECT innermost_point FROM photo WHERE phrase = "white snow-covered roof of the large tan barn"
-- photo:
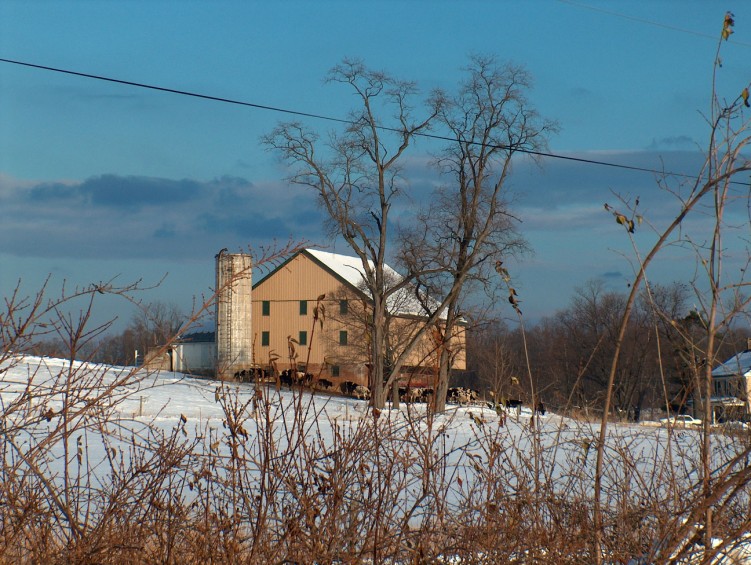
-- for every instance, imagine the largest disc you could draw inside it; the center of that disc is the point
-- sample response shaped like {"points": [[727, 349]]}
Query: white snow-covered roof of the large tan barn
{"points": [[403, 302]]}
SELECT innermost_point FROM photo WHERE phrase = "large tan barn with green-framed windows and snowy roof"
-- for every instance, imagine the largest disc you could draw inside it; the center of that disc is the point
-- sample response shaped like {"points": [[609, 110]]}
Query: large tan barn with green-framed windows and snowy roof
{"points": [[285, 333]]}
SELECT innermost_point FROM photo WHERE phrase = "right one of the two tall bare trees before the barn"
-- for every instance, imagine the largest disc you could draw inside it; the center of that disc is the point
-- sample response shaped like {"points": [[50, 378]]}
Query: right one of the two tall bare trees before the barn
{"points": [[469, 229]]}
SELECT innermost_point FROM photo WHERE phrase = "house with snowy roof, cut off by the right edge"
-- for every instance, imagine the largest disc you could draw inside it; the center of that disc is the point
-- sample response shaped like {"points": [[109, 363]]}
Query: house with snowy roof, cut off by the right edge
{"points": [[732, 384]]}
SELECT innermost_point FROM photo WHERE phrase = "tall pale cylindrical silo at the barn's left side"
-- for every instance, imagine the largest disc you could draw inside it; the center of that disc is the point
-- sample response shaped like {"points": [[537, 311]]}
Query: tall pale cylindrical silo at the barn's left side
{"points": [[234, 348]]}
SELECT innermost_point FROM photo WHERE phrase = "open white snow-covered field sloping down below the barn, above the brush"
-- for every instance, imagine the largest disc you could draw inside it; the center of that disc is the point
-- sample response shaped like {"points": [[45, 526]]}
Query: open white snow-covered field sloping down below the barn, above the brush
{"points": [[87, 426]]}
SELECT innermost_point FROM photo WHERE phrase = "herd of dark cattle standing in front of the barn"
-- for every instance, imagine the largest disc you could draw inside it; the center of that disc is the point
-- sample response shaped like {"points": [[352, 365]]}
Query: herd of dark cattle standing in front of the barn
{"points": [[289, 378]]}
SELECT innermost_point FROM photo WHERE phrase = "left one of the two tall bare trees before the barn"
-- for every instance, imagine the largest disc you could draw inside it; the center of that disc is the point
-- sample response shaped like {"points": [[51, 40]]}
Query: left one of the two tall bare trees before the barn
{"points": [[356, 176]]}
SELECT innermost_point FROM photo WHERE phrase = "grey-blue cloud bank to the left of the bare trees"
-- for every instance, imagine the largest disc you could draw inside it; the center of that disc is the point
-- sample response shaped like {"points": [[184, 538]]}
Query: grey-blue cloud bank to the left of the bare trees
{"points": [[145, 217]]}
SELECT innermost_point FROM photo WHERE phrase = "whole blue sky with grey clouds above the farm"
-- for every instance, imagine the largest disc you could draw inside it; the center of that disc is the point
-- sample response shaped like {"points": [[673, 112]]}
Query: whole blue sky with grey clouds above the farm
{"points": [[101, 181]]}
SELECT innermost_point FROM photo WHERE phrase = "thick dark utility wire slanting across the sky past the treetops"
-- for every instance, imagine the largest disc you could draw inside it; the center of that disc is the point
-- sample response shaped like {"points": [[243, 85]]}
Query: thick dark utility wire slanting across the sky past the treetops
{"points": [[333, 119]]}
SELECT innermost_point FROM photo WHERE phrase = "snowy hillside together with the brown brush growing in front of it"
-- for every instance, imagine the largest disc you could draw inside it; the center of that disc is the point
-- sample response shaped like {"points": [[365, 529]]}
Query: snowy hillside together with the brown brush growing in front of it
{"points": [[325, 468]]}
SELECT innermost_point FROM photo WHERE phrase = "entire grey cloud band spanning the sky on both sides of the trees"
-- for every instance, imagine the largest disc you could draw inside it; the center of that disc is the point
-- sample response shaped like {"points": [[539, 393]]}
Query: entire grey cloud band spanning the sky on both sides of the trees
{"points": [[129, 219]]}
